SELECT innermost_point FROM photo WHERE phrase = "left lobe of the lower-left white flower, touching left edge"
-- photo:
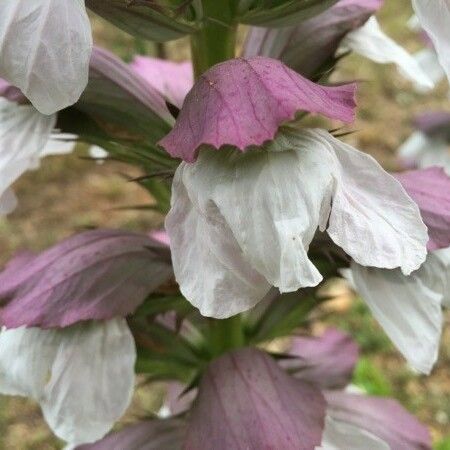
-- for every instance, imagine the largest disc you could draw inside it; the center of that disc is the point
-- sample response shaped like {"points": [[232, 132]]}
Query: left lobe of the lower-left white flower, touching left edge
{"points": [[26, 358]]}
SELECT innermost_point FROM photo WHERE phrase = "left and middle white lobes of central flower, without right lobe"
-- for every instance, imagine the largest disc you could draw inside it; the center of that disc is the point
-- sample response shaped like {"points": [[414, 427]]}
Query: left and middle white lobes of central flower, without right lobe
{"points": [[247, 218]]}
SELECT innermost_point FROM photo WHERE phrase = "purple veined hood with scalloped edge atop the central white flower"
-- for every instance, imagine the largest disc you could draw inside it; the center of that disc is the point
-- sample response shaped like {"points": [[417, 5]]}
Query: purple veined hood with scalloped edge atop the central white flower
{"points": [[242, 102]]}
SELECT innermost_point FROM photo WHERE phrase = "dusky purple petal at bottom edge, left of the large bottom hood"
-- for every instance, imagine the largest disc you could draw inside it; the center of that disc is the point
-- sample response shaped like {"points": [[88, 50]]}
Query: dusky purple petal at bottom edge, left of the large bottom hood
{"points": [[149, 435]]}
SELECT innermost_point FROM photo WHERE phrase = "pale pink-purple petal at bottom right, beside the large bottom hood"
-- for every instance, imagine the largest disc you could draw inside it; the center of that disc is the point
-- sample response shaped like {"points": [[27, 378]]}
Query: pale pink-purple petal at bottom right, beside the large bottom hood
{"points": [[383, 418]]}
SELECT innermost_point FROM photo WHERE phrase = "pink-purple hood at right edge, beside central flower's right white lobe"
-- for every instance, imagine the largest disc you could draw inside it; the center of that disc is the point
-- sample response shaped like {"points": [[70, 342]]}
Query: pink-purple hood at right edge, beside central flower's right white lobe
{"points": [[430, 189]]}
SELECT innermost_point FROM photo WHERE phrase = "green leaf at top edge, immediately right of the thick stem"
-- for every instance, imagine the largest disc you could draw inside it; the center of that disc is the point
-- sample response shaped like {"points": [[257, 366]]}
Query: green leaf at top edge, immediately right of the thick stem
{"points": [[280, 13]]}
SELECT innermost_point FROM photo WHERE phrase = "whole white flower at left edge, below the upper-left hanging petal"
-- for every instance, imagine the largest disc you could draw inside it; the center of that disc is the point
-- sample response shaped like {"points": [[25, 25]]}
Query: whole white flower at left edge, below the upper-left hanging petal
{"points": [[25, 137]]}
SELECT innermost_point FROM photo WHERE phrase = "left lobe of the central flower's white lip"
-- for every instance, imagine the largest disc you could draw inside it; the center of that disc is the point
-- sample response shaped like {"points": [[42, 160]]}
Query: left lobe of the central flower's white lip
{"points": [[220, 282]]}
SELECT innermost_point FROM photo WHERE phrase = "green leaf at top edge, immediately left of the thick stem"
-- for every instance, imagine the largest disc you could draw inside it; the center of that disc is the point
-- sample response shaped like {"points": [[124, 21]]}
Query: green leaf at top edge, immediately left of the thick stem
{"points": [[141, 18]]}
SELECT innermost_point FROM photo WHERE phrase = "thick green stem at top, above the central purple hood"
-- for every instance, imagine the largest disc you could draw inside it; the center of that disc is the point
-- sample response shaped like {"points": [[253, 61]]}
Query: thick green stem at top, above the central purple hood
{"points": [[216, 40]]}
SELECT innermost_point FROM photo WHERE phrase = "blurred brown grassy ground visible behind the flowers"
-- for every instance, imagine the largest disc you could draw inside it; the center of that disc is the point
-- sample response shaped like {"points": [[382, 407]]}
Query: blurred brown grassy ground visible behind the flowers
{"points": [[71, 193]]}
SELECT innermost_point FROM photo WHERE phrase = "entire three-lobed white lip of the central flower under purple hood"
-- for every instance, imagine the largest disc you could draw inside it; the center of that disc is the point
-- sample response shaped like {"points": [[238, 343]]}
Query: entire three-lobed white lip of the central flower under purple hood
{"points": [[240, 223]]}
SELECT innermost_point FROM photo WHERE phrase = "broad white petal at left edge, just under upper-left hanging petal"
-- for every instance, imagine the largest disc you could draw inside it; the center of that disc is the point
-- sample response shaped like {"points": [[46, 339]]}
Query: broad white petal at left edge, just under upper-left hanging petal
{"points": [[24, 132]]}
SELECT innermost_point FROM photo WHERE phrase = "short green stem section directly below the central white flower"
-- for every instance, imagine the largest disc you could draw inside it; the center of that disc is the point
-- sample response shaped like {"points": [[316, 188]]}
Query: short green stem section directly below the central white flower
{"points": [[226, 335]]}
